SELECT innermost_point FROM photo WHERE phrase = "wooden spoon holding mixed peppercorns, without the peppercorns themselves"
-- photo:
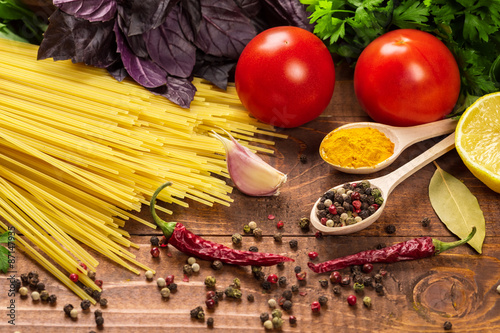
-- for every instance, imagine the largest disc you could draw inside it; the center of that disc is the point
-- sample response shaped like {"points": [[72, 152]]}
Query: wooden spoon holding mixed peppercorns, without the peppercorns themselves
{"points": [[386, 184]]}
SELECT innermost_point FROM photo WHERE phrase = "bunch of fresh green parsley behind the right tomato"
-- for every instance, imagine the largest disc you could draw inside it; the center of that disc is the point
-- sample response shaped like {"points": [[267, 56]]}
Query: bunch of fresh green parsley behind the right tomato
{"points": [[470, 29]]}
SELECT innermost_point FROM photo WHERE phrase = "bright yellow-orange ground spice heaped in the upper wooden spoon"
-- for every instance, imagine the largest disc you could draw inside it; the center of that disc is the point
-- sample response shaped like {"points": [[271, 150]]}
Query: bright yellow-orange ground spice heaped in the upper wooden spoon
{"points": [[356, 147]]}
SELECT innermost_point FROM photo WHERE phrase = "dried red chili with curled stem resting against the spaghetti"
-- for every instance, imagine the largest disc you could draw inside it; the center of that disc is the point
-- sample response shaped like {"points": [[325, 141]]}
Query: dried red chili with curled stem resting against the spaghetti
{"points": [[185, 241]]}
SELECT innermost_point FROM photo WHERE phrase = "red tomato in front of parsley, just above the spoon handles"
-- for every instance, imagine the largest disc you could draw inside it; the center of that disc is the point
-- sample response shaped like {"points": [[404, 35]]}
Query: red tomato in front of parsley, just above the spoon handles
{"points": [[406, 77]]}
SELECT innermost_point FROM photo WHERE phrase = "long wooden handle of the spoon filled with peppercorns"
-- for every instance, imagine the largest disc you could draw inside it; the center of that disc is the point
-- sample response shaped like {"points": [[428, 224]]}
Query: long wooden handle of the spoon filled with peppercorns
{"points": [[388, 182]]}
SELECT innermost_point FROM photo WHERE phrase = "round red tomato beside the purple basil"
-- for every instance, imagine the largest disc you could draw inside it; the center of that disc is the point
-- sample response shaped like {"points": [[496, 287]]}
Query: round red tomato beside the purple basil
{"points": [[285, 76]]}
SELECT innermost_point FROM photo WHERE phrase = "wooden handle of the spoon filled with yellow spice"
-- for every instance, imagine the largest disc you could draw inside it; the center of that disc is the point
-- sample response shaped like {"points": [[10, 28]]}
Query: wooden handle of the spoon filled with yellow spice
{"points": [[410, 135]]}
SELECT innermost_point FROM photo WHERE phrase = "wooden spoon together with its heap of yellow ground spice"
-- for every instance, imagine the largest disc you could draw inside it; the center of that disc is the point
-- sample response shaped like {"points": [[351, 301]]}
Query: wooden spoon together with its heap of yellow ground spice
{"points": [[357, 153]]}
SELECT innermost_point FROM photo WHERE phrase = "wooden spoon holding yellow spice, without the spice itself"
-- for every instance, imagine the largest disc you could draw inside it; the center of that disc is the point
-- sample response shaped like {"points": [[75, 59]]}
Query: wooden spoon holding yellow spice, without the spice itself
{"points": [[402, 137]]}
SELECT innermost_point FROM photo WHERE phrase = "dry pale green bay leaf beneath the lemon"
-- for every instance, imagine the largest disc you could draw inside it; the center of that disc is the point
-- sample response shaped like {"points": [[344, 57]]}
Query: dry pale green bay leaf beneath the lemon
{"points": [[457, 207]]}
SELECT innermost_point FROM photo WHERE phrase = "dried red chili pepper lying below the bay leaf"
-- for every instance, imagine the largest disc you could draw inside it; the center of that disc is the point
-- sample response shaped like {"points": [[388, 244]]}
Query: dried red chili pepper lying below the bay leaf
{"points": [[409, 250]]}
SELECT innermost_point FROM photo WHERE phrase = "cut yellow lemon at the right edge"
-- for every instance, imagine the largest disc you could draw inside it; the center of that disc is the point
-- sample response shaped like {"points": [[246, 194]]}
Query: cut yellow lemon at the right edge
{"points": [[477, 139]]}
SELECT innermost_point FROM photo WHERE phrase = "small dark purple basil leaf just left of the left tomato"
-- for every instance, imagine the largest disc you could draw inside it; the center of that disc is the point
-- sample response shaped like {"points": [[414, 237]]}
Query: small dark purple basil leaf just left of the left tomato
{"points": [[213, 69]]}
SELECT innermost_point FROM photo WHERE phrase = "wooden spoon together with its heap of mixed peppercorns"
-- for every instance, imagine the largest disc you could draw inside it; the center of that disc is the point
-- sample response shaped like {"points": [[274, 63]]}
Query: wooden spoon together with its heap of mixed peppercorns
{"points": [[374, 203]]}
